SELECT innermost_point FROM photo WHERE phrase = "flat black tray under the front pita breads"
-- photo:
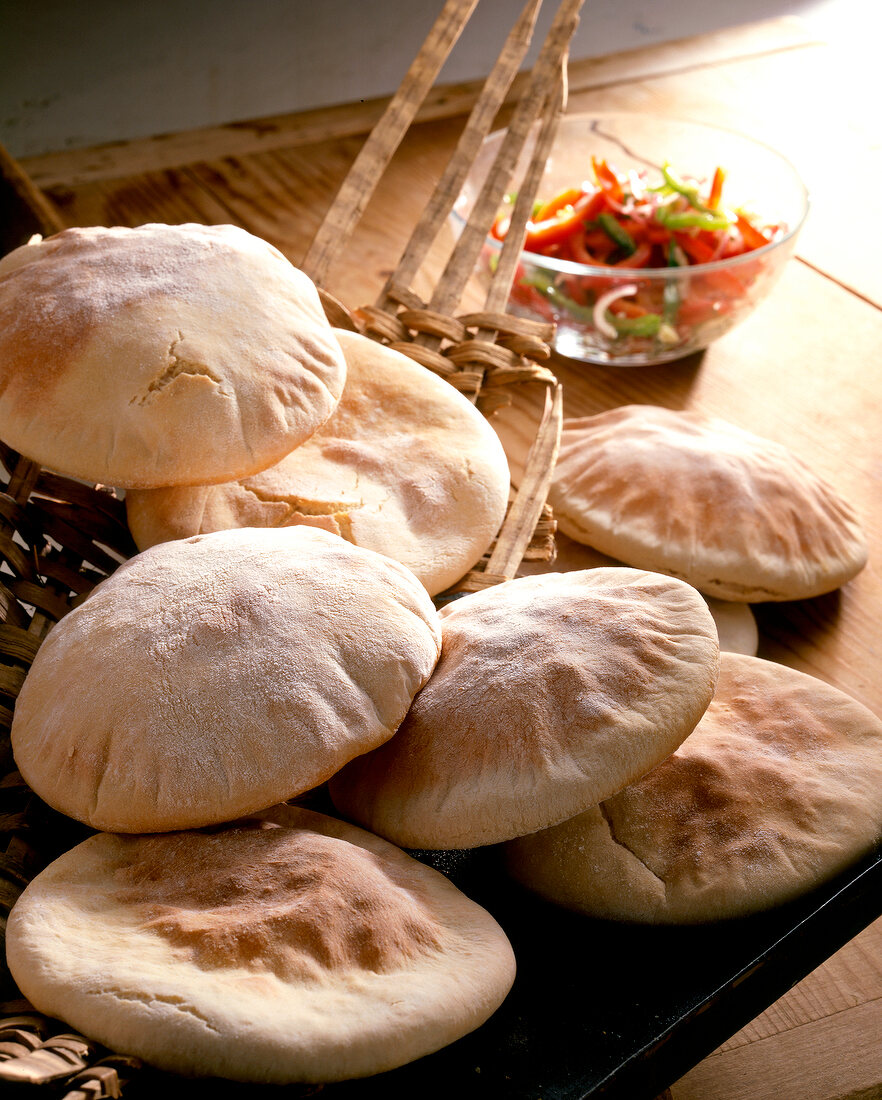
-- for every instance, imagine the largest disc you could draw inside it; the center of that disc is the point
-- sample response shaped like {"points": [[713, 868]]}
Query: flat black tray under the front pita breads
{"points": [[602, 1009]]}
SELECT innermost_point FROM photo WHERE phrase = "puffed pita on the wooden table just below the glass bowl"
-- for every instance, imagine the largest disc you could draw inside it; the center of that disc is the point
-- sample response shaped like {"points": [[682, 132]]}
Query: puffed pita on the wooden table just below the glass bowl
{"points": [[738, 516]]}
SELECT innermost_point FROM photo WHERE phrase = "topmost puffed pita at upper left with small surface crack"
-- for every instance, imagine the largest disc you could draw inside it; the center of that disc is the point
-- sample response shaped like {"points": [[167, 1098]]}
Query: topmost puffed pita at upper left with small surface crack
{"points": [[161, 356]]}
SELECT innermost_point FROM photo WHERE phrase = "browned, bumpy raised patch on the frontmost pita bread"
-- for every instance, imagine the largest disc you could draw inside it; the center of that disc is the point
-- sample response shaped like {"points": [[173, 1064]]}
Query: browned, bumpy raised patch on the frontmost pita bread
{"points": [[289, 901]]}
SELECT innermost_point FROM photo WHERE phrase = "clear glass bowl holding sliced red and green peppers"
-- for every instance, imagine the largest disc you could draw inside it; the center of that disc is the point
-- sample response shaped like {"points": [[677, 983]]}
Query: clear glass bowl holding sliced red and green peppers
{"points": [[690, 305]]}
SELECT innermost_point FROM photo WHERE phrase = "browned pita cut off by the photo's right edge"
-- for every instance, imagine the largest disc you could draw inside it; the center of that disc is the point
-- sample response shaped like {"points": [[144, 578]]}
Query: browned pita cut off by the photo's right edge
{"points": [[778, 789]]}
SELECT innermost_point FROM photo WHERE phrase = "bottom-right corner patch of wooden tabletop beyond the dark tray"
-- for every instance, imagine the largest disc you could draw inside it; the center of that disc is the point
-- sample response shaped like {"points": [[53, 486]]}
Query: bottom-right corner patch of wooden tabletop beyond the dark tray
{"points": [[821, 1040]]}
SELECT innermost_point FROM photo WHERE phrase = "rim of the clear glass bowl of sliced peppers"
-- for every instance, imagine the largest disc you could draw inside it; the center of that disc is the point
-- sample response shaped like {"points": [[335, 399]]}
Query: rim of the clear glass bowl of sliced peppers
{"points": [[627, 274]]}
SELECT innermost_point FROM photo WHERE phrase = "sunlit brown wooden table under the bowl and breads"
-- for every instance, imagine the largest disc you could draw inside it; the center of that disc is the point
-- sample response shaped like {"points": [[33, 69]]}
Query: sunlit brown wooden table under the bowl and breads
{"points": [[804, 370]]}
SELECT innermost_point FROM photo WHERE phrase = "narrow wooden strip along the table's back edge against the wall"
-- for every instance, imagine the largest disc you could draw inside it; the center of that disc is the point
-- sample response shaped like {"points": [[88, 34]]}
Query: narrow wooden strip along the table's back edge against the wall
{"points": [[286, 131]]}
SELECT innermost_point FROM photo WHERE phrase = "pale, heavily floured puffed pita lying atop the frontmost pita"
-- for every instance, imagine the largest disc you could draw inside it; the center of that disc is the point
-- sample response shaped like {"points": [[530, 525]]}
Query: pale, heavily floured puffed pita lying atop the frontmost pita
{"points": [[213, 677]]}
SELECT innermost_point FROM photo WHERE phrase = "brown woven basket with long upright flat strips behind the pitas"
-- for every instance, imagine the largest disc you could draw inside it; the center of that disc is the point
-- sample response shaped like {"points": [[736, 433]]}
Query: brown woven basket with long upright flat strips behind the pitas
{"points": [[60, 537]]}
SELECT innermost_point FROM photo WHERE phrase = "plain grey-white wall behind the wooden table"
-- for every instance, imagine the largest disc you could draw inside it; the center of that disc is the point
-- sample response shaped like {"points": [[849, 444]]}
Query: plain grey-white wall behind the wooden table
{"points": [[80, 73]]}
